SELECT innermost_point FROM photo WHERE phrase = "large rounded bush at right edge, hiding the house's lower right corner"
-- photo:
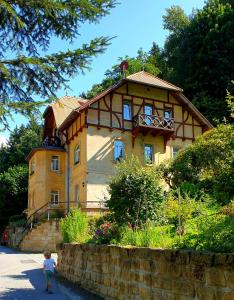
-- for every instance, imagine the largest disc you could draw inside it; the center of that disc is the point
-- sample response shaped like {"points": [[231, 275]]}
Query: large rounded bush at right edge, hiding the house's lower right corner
{"points": [[208, 163]]}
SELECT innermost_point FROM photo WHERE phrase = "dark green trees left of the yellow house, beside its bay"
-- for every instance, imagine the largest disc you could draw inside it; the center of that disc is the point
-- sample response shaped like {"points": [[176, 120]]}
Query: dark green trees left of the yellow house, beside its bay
{"points": [[14, 170]]}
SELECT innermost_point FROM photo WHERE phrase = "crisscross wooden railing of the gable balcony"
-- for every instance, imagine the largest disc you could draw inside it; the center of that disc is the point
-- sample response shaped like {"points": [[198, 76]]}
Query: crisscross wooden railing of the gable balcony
{"points": [[153, 121]]}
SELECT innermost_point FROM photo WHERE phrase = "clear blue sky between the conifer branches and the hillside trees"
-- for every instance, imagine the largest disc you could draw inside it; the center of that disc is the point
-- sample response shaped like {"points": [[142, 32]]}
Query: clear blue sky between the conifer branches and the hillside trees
{"points": [[135, 23]]}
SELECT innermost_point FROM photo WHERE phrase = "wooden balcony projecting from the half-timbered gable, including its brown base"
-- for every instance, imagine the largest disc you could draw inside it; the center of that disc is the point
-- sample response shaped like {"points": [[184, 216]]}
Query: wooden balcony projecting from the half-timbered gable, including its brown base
{"points": [[155, 125]]}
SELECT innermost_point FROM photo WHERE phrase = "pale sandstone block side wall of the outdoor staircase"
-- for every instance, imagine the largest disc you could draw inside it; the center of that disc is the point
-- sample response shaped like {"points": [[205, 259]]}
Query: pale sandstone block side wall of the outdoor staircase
{"points": [[43, 236]]}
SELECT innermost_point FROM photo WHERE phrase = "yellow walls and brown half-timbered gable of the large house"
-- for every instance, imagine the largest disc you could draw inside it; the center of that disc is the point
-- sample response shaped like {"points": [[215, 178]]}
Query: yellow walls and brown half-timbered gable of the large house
{"points": [[160, 118]]}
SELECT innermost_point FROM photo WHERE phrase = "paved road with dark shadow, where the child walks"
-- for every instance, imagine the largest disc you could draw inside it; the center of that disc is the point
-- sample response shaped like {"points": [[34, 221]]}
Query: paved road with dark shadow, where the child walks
{"points": [[21, 278]]}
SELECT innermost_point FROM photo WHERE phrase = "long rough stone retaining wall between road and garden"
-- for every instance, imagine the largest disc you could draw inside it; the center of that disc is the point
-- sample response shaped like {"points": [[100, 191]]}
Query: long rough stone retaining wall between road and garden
{"points": [[142, 273]]}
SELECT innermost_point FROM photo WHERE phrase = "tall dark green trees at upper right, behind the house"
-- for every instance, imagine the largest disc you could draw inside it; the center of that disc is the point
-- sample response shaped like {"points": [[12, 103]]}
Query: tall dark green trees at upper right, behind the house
{"points": [[200, 54]]}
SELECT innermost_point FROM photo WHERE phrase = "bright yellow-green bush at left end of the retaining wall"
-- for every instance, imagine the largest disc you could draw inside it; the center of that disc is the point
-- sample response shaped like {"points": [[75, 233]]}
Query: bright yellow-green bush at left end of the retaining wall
{"points": [[74, 227]]}
